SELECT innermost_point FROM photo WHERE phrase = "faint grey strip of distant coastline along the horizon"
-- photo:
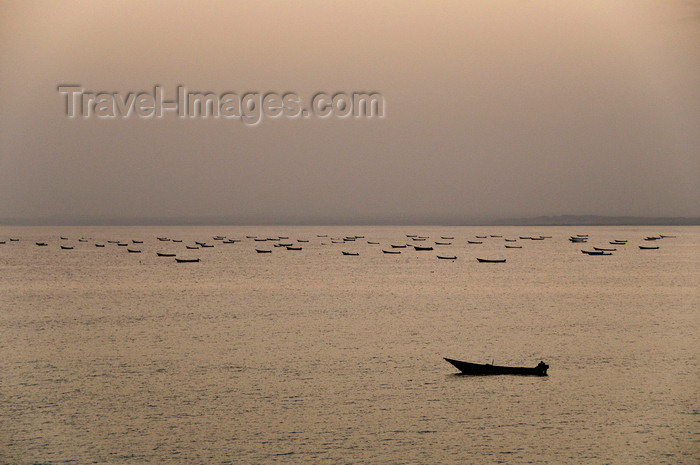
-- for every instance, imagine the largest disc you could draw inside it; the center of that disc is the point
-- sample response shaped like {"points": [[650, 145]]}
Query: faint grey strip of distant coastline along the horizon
{"points": [[560, 220]]}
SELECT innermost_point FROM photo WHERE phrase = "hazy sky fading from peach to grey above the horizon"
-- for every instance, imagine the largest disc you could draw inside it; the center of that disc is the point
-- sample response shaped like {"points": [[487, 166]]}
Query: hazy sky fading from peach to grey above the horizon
{"points": [[492, 109]]}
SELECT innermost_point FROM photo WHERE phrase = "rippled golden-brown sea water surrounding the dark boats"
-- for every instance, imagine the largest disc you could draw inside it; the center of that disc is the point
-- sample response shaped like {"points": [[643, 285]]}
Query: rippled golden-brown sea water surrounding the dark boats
{"points": [[312, 356]]}
